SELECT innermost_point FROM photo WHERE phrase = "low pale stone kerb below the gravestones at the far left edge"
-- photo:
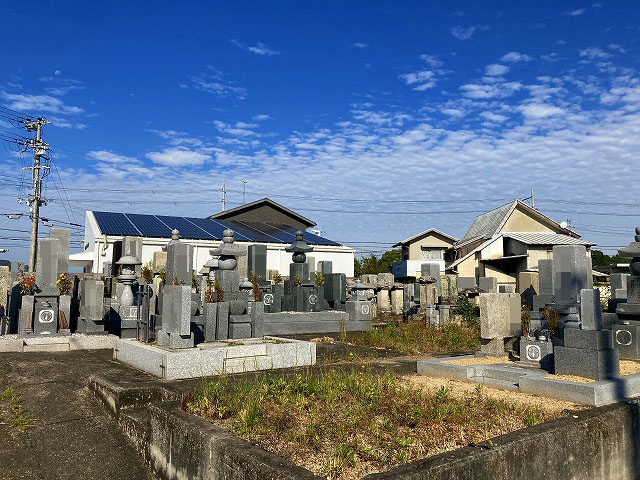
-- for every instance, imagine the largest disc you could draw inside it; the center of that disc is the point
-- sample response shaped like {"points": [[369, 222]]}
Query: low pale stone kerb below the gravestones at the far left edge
{"points": [[56, 343]]}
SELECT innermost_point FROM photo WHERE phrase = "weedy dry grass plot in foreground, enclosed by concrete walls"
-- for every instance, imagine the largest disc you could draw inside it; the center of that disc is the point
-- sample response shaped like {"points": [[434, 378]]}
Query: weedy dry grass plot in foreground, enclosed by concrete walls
{"points": [[346, 424]]}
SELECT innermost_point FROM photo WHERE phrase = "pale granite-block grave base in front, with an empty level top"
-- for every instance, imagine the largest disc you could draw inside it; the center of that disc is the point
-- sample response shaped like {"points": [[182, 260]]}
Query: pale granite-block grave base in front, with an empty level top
{"points": [[216, 358]]}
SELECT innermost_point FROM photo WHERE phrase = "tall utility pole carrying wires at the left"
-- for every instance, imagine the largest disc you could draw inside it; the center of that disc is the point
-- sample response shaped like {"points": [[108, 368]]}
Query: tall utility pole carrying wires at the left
{"points": [[39, 149]]}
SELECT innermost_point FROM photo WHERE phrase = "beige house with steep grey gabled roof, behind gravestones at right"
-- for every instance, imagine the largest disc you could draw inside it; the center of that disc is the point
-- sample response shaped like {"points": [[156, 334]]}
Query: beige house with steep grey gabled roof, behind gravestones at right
{"points": [[508, 240]]}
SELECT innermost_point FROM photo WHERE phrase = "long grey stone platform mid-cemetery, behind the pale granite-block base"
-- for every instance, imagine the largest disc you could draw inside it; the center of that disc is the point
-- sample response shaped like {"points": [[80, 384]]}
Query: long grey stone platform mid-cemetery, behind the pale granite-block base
{"points": [[299, 323]]}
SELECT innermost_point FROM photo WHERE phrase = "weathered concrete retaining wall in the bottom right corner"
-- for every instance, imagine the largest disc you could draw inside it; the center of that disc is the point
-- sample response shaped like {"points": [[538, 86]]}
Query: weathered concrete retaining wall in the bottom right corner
{"points": [[601, 444]]}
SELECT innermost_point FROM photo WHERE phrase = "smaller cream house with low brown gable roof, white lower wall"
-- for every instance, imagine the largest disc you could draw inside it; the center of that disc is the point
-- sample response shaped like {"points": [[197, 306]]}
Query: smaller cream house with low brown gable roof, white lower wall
{"points": [[428, 246]]}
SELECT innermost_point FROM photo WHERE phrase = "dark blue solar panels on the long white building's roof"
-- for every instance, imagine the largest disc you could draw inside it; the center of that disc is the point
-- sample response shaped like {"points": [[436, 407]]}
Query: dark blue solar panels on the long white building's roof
{"points": [[160, 226]]}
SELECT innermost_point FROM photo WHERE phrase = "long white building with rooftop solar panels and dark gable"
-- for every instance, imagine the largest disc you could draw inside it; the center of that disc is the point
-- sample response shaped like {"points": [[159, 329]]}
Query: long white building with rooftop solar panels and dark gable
{"points": [[263, 222]]}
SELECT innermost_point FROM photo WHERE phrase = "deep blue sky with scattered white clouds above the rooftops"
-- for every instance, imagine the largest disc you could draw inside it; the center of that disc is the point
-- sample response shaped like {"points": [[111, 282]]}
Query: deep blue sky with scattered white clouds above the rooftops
{"points": [[344, 111]]}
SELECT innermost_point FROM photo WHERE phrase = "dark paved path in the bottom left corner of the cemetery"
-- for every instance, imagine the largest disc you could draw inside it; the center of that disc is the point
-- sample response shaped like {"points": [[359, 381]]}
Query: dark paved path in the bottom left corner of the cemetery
{"points": [[72, 436]]}
